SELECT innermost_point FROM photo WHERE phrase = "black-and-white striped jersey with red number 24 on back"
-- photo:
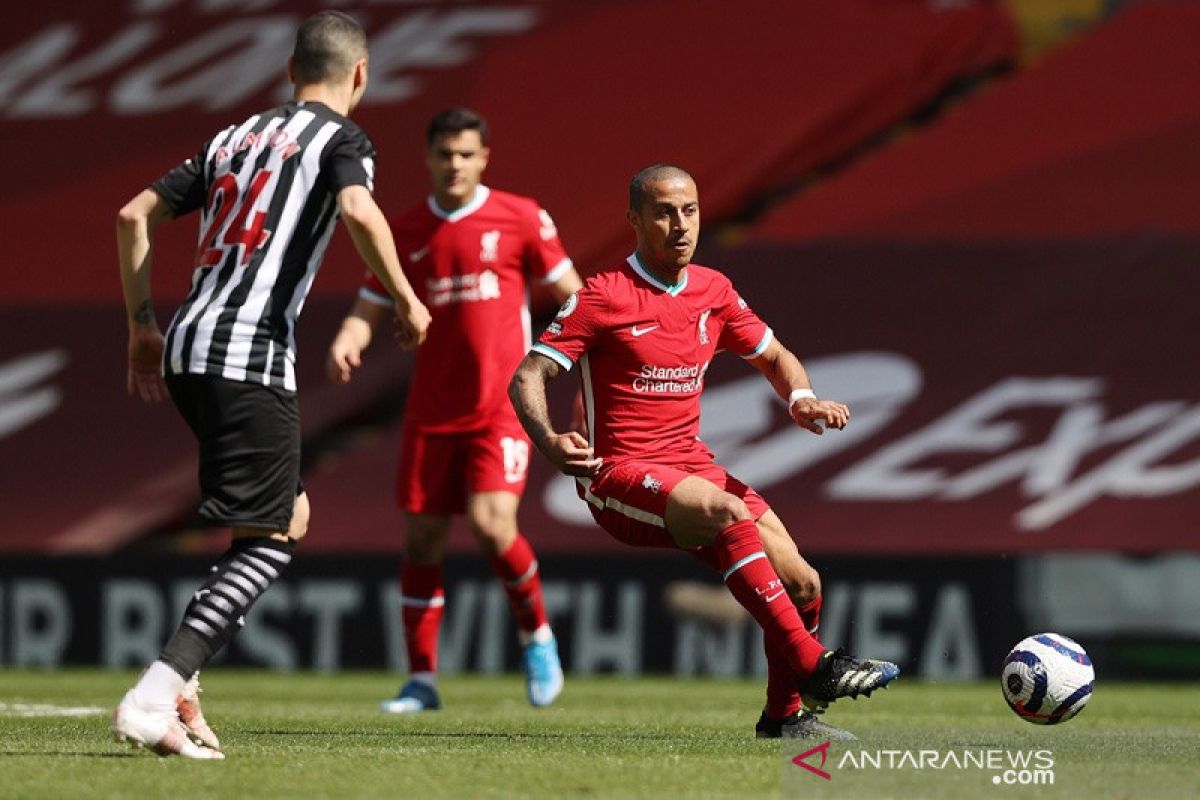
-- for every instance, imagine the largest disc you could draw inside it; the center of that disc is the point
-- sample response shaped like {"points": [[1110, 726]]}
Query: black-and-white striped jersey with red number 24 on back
{"points": [[268, 194]]}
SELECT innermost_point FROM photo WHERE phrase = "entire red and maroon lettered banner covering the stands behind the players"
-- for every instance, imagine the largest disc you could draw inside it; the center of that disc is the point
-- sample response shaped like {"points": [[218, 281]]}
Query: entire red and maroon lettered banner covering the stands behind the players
{"points": [[1028, 387]]}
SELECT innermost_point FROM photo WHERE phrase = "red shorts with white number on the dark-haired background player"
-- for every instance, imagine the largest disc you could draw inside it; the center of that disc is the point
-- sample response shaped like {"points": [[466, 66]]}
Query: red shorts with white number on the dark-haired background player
{"points": [[437, 471]]}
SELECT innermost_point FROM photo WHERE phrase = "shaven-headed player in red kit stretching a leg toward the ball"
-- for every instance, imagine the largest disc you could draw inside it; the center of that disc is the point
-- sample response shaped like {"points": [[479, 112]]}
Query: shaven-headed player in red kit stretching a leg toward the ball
{"points": [[644, 335]]}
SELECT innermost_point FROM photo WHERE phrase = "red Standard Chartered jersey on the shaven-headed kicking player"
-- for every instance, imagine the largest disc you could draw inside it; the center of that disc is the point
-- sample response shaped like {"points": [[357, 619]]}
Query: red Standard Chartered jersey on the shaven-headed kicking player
{"points": [[644, 348]]}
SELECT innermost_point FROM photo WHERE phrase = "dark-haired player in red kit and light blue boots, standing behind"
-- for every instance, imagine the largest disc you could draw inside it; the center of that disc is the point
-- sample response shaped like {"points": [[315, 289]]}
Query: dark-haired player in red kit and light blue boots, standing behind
{"points": [[471, 252]]}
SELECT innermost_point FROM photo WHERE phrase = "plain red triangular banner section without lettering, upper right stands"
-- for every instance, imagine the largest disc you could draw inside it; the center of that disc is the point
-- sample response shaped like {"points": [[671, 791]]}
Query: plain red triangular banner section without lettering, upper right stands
{"points": [[1099, 140]]}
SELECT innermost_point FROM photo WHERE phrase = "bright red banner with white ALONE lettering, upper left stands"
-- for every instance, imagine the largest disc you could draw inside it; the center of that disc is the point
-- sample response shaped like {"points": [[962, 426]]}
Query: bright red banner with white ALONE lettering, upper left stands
{"points": [[99, 103]]}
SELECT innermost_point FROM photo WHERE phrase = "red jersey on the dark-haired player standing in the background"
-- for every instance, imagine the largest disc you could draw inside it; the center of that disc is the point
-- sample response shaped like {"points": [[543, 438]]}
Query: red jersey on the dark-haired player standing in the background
{"points": [[471, 268]]}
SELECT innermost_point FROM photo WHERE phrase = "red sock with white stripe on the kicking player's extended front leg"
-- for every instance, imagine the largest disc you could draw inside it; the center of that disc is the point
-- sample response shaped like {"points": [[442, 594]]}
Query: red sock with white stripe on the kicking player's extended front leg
{"points": [[754, 584]]}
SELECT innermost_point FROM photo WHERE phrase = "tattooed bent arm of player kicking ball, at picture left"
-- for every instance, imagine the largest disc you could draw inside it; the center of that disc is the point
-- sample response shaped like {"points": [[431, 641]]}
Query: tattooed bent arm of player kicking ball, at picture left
{"points": [[569, 453]]}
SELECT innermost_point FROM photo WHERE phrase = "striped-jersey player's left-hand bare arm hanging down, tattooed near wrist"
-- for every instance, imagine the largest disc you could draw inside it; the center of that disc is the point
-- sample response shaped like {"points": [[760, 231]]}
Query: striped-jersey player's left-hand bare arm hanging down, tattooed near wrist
{"points": [[135, 248]]}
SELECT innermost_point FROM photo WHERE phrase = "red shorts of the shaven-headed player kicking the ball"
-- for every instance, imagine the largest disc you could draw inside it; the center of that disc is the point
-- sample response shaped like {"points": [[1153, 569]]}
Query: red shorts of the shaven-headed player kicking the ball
{"points": [[629, 500]]}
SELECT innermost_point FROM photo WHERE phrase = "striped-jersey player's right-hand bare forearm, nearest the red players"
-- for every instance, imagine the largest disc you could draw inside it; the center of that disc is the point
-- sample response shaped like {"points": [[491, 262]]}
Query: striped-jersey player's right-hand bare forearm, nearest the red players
{"points": [[373, 238]]}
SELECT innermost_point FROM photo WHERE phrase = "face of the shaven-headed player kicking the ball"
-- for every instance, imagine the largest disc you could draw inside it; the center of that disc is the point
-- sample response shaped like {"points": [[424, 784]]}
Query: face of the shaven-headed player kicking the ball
{"points": [[668, 225]]}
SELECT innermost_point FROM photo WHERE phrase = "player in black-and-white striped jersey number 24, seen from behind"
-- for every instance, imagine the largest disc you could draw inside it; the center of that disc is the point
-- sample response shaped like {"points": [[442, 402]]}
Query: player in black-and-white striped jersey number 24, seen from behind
{"points": [[269, 191]]}
